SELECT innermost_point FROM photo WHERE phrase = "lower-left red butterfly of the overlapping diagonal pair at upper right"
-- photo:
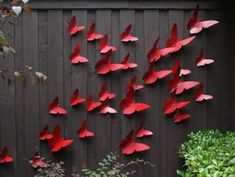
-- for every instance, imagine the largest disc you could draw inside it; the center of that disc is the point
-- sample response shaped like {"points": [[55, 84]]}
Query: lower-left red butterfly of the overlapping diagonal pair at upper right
{"points": [[155, 53]]}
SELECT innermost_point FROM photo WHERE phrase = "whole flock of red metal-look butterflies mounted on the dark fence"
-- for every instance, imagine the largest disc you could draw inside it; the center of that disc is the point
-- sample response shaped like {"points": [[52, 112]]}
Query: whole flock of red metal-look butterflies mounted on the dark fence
{"points": [[128, 105]]}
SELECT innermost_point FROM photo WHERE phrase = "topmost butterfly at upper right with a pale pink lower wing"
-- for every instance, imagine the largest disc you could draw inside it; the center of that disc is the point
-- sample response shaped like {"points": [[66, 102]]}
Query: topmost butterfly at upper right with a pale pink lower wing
{"points": [[195, 25]]}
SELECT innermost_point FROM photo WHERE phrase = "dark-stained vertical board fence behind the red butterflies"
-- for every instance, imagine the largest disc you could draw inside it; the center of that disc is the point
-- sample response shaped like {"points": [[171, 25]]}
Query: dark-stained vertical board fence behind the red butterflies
{"points": [[41, 41]]}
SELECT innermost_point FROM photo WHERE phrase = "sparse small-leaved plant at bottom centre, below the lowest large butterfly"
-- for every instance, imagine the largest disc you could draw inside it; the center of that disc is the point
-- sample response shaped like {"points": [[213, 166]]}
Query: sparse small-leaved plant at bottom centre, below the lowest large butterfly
{"points": [[111, 166]]}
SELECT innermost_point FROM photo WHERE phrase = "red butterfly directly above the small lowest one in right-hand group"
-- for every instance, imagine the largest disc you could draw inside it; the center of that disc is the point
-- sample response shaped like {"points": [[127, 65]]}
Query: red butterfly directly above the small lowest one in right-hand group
{"points": [[171, 105]]}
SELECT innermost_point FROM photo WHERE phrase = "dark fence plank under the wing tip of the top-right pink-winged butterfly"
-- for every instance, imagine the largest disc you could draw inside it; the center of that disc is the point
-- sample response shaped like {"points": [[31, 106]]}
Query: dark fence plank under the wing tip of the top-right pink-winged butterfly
{"points": [[218, 80]]}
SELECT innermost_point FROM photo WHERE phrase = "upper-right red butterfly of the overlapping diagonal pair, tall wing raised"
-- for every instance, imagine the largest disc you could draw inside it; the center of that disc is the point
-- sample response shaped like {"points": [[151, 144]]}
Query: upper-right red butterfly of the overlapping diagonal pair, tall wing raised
{"points": [[177, 43]]}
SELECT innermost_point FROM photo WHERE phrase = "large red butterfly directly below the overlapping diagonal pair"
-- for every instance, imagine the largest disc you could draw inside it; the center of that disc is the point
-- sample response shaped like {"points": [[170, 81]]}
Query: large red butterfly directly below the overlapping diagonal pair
{"points": [[152, 75]]}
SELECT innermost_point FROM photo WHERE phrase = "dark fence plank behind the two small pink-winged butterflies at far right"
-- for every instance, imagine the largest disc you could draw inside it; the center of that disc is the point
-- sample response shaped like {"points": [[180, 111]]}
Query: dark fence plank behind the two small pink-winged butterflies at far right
{"points": [[198, 111]]}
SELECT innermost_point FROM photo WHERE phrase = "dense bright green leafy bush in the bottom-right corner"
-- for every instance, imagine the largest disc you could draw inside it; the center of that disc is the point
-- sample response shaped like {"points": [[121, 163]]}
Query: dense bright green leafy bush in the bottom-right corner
{"points": [[208, 154]]}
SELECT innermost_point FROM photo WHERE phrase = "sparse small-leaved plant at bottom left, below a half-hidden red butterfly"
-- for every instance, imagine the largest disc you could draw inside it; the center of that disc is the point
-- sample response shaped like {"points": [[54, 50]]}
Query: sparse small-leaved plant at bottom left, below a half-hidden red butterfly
{"points": [[53, 169]]}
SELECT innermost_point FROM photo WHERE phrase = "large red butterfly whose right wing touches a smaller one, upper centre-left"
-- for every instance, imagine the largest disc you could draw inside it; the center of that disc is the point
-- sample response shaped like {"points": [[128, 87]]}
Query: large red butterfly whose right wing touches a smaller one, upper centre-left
{"points": [[104, 65]]}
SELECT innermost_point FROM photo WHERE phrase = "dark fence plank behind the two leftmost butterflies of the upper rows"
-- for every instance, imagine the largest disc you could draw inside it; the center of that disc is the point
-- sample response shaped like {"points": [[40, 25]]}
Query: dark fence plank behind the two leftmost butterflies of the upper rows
{"points": [[79, 80]]}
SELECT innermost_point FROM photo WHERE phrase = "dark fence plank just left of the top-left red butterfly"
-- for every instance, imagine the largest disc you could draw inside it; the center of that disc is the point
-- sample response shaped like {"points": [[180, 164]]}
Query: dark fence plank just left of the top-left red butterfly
{"points": [[67, 76]]}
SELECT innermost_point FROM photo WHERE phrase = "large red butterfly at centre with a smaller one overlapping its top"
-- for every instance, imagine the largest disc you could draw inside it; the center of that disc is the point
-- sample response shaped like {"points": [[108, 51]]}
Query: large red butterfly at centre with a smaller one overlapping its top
{"points": [[129, 106]]}
